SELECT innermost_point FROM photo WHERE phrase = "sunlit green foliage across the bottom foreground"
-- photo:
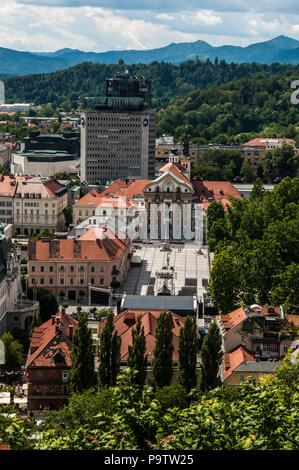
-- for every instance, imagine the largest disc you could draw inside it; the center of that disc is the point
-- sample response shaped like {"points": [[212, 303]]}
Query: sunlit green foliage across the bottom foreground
{"points": [[256, 416]]}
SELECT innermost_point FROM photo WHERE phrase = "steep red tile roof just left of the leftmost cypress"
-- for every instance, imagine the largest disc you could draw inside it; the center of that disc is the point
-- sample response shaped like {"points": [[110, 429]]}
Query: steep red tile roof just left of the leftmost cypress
{"points": [[47, 341]]}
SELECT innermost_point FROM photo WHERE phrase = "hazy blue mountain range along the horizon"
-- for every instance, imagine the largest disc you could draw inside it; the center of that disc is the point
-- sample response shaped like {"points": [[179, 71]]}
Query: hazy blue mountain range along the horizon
{"points": [[281, 49]]}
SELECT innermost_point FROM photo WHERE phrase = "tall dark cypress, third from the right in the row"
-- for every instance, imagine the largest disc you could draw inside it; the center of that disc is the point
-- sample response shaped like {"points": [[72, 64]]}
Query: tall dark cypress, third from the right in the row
{"points": [[162, 362]]}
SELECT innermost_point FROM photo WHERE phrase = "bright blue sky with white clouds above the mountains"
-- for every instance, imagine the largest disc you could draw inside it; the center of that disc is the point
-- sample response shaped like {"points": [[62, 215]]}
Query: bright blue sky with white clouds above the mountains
{"points": [[104, 25]]}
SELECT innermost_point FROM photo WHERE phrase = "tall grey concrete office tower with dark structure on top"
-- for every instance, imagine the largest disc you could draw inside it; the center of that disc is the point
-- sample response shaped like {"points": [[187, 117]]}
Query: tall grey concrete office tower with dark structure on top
{"points": [[118, 136]]}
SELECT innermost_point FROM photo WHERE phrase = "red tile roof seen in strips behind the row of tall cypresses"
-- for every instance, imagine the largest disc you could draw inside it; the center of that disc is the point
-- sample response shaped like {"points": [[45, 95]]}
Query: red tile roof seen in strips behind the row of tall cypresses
{"points": [[126, 320]]}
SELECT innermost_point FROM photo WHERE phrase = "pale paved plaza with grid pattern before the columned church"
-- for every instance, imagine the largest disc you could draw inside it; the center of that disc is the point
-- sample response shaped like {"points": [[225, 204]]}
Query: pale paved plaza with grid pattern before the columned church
{"points": [[190, 270]]}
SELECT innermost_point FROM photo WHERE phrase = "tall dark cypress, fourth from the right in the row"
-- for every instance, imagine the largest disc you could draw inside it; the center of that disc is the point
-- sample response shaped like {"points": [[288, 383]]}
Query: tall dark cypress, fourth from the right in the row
{"points": [[137, 359]]}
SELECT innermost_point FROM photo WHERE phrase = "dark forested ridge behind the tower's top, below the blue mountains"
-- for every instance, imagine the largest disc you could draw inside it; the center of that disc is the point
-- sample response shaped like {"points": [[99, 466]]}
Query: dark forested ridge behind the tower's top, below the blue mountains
{"points": [[67, 88]]}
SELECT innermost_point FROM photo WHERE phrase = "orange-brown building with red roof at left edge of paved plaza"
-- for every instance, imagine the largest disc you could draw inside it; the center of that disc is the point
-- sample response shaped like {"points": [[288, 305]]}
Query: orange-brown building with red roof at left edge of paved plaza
{"points": [[68, 267]]}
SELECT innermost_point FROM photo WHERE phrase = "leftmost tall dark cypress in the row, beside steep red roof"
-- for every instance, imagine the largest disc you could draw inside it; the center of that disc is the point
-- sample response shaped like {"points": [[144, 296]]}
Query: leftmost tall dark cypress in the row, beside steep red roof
{"points": [[82, 373]]}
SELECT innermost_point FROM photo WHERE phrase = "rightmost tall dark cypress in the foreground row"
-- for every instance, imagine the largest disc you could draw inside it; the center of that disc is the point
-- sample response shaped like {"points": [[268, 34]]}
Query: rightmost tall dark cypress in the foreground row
{"points": [[211, 357]]}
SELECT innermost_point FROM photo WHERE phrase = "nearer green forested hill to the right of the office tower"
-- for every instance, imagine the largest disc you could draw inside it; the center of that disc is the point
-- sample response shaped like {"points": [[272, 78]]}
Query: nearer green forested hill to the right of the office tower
{"points": [[255, 104]]}
